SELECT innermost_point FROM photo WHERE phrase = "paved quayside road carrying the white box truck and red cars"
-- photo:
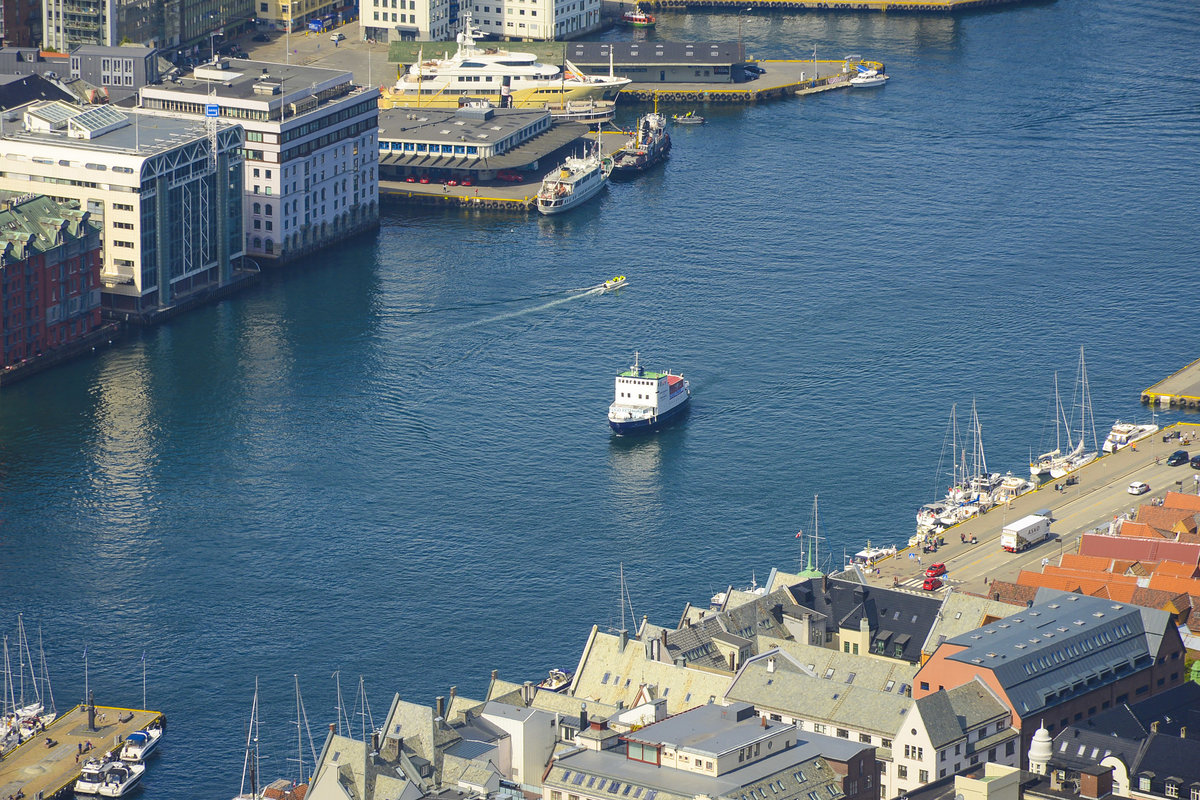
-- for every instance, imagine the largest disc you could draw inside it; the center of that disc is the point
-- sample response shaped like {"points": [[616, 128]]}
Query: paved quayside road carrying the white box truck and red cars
{"points": [[1099, 496]]}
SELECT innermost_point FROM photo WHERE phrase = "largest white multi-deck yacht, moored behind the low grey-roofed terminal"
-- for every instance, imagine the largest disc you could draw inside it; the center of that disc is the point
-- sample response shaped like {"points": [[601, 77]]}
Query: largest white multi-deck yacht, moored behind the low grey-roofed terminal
{"points": [[507, 80]]}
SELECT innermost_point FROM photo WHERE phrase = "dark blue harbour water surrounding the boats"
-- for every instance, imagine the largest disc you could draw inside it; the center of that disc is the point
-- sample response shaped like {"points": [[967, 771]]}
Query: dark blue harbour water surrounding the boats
{"points": [[394, 461]]}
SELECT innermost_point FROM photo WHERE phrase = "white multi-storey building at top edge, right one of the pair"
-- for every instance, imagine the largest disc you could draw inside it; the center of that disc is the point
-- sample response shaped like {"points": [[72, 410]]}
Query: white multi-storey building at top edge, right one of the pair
{"points": [[537, 20]]}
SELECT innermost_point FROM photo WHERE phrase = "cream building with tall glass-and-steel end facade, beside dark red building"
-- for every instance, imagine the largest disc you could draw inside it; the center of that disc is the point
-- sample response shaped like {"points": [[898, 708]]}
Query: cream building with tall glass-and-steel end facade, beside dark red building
{"points": [[167, 193]]}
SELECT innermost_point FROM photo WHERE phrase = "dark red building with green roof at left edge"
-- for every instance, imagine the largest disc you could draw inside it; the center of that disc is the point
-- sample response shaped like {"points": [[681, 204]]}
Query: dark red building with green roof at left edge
{"points": [[50, 276]]}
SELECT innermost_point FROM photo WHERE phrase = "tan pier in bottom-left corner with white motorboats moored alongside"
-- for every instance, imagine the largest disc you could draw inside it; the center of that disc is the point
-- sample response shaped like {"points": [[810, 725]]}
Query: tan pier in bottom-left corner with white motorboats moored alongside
{"points": [[40, 769]]}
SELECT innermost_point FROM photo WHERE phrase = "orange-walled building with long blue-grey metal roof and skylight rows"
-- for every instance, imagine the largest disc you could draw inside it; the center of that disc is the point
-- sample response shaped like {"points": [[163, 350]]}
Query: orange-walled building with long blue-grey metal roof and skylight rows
{"points": [[1065, 659]]}
